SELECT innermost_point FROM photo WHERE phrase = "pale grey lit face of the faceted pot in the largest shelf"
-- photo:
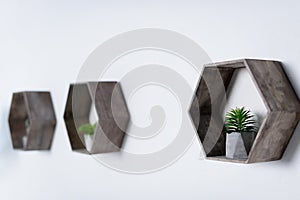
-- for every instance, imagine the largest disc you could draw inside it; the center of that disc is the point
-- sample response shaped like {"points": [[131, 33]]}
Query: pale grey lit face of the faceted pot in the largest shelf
{"points": [[235, 148]]}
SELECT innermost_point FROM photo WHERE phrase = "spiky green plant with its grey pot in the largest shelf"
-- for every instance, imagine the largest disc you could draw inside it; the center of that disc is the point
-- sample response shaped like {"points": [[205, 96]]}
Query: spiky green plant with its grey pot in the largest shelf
{"points": [[241, 130]]}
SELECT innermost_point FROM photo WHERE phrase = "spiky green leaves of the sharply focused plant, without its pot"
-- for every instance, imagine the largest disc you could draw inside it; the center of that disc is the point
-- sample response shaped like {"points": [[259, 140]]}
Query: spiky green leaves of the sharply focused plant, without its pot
{"points": [[240, 120]]}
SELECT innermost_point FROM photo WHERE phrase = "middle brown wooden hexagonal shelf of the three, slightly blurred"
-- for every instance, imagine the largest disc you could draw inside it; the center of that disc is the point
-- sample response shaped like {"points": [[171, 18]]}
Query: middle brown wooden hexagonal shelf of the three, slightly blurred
{"points": [[112, 113]]}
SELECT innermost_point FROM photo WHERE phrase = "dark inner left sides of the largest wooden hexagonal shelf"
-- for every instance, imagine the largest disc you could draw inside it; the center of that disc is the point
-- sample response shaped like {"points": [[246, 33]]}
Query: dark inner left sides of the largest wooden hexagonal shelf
{"points": [[210, 98]]}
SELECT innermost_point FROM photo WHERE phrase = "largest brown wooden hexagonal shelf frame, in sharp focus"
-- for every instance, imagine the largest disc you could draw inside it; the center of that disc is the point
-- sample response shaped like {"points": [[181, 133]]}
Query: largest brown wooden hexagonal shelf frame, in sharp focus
{"points": [[279, 98]]}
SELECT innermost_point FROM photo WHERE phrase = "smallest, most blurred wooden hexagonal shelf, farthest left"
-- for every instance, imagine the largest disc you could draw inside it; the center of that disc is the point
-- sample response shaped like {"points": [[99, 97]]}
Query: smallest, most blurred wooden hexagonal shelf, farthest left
{"points": [[32, 120]]}
